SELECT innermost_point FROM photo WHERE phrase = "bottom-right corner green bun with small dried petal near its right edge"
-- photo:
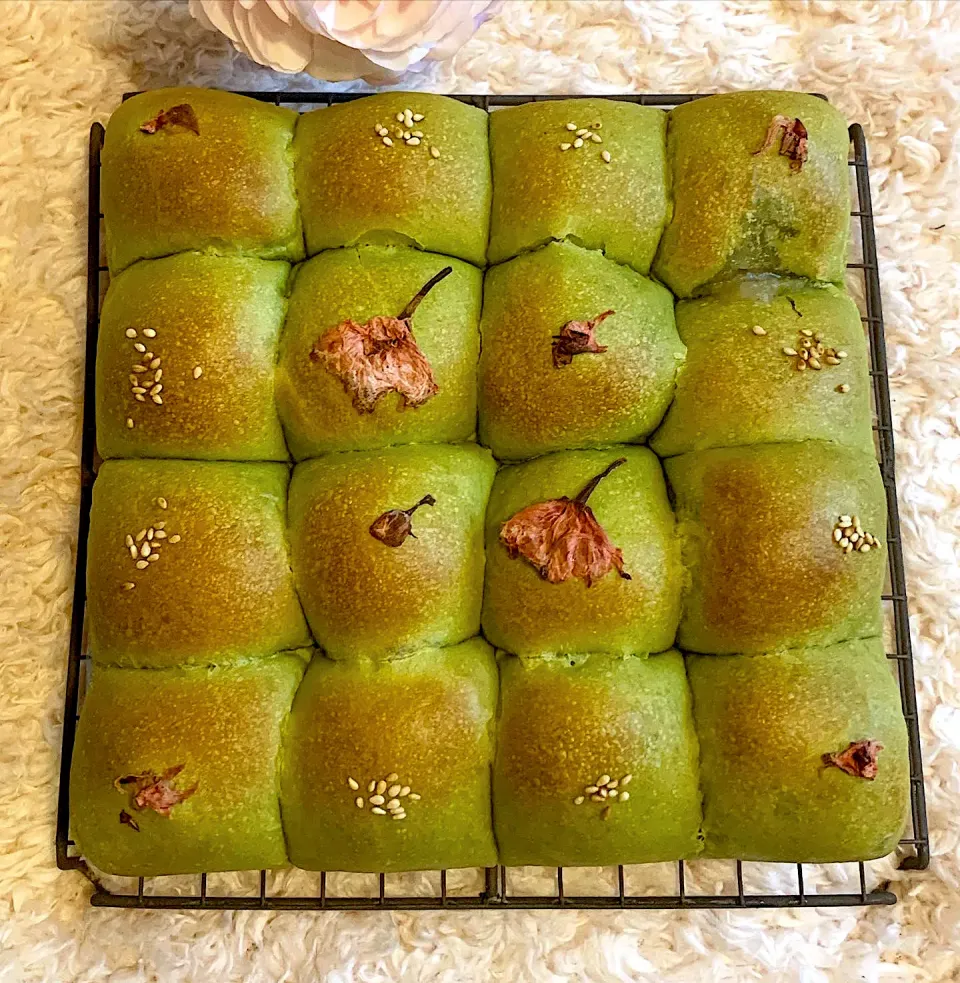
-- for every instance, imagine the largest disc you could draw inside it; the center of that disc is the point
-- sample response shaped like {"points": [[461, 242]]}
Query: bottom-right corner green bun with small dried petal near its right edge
{"points": [[774, 731]]}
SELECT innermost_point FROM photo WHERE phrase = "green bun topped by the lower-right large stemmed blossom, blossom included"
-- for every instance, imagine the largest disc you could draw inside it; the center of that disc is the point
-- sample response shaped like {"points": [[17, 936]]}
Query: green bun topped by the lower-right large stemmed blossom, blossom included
{"points": [[629, 531]]}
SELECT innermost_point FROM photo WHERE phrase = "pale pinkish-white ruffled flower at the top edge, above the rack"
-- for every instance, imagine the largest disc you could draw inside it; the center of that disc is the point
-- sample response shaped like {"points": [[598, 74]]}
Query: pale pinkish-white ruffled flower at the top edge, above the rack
{"points": [[337, 40]]}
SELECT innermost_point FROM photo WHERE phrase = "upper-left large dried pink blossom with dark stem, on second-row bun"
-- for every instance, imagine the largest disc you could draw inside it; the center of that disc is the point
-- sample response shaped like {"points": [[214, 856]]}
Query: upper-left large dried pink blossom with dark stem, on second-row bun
{"points": [[380, 356]]}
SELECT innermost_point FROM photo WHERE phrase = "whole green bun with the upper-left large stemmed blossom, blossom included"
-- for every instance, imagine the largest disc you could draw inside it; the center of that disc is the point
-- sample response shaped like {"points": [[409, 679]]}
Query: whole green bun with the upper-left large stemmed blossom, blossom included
{"points": [[380, 347]]}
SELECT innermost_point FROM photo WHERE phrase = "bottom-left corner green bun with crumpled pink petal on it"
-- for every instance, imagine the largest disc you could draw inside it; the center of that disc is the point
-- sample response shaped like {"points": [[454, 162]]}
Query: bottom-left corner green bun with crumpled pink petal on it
{"points": [[175, 771]]}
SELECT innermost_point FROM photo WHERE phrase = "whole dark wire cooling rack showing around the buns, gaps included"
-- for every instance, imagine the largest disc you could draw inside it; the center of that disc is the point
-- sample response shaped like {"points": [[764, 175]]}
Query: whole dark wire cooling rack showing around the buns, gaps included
{"points": [[685, 885]]}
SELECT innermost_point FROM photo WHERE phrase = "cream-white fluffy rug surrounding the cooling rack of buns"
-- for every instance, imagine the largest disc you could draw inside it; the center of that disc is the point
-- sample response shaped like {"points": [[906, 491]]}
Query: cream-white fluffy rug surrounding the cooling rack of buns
{"points": [[893, 66]]}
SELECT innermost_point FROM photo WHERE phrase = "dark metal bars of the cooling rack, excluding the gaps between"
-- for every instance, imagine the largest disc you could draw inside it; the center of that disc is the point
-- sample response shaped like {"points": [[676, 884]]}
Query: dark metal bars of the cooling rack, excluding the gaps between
{"points": [[496, 892]]}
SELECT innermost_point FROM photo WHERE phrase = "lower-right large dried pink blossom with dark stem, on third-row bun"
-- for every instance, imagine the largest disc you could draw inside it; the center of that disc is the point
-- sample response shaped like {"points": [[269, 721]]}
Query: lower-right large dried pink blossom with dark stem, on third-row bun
{"points": [[562, 539]]}
